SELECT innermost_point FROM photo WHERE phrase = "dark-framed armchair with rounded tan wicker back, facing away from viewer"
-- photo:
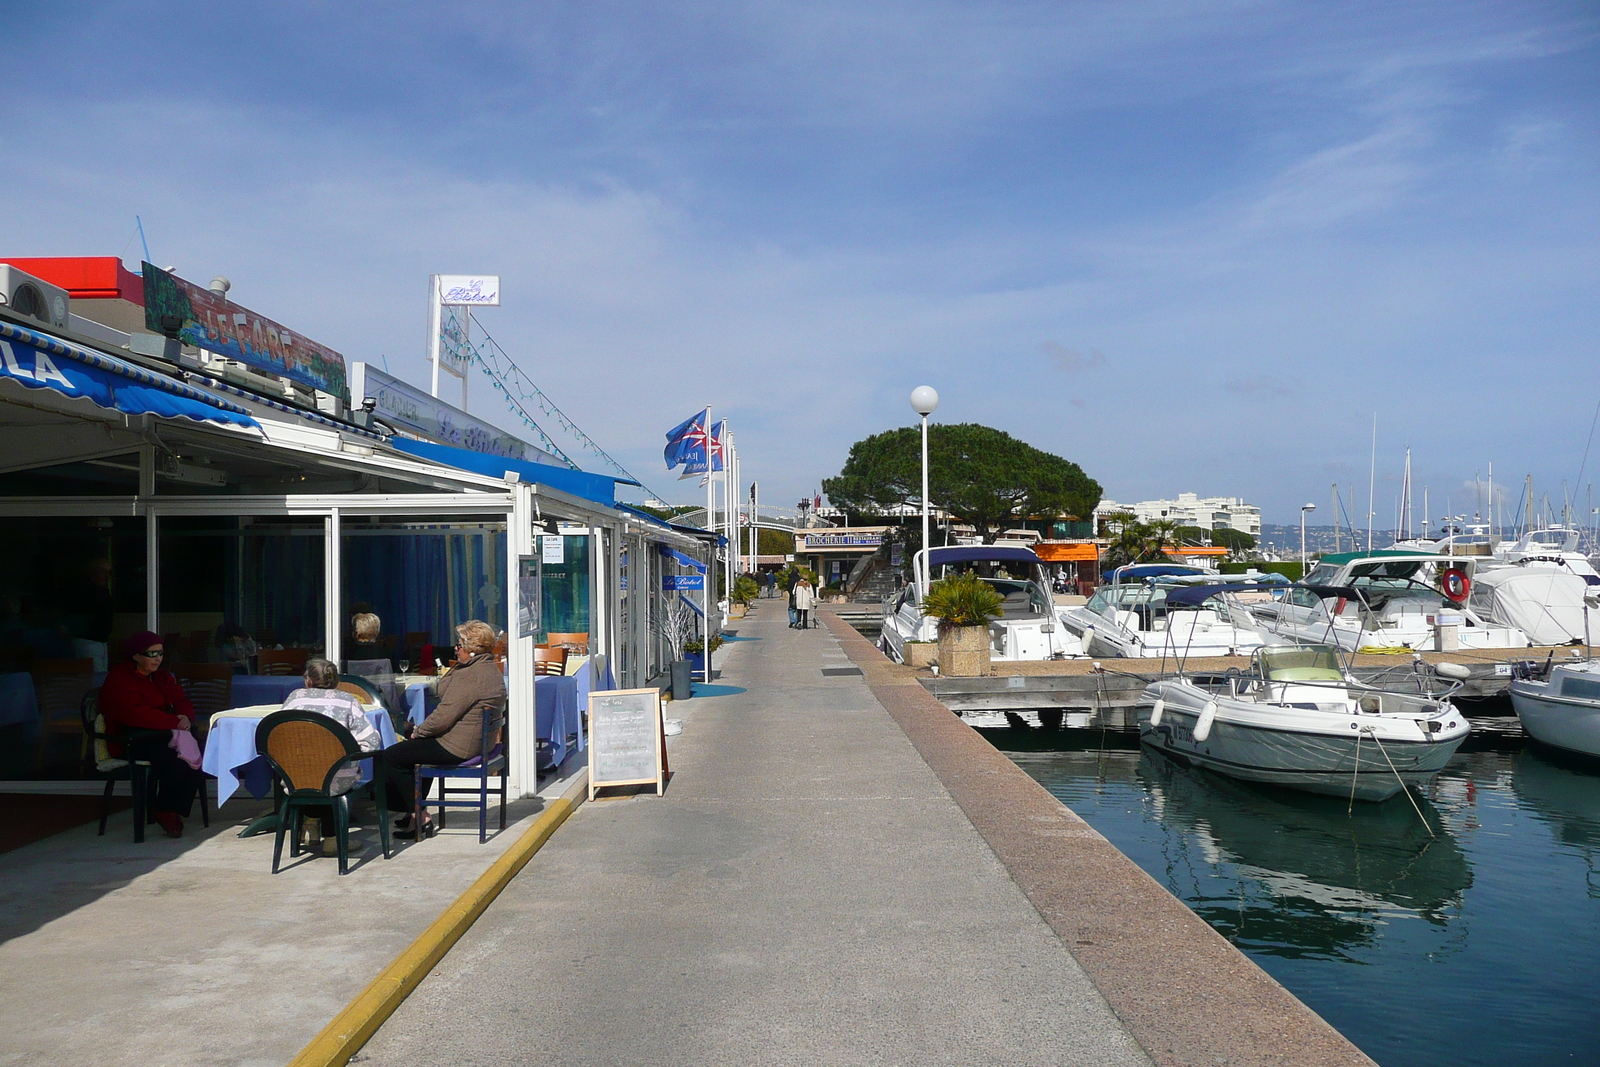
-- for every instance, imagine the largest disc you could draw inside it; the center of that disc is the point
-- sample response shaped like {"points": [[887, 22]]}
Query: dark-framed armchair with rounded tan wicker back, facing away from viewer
{"points": [[306, 751]]}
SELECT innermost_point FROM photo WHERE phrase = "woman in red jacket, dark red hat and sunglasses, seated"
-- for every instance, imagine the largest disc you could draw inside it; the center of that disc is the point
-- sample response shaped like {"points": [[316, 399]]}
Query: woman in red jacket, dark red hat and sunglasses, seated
{"points": [[143, 706]]}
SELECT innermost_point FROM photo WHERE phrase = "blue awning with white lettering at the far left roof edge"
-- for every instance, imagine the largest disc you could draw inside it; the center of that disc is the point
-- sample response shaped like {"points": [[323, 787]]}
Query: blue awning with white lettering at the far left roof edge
{"points": [[44, 362]]}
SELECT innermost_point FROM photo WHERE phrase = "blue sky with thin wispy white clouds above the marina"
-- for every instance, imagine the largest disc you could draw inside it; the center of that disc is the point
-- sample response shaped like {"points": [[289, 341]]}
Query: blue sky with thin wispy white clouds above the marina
{"points": [[1190, 246]]}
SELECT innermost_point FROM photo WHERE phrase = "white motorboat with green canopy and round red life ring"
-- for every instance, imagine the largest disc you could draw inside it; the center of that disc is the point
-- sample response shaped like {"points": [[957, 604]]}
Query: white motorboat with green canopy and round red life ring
{"points": [[1385, 601]]}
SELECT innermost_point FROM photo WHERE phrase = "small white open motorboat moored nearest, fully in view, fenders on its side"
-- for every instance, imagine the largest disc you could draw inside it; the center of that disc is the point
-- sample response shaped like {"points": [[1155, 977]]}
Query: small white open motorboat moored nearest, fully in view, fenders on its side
{"points": [[1298, 719]]}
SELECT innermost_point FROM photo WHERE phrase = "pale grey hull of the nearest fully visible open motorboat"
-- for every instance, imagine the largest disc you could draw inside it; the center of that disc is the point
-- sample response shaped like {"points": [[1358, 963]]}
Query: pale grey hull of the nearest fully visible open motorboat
{"points": [[1319, 762]]}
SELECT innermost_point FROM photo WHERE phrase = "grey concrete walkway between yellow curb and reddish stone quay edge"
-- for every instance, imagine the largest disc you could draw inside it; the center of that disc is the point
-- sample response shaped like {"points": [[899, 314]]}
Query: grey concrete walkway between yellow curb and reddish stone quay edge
{"points": [[806, 893]]}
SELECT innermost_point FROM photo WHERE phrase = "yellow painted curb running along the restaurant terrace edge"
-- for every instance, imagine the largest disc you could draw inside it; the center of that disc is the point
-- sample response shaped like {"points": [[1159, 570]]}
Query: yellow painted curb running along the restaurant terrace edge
{"points": [[351, 1029]]}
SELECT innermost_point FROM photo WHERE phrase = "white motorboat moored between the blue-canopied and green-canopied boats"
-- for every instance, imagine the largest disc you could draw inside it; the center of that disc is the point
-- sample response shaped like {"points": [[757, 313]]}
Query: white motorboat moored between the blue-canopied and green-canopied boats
{"points": [[1169, 617]]}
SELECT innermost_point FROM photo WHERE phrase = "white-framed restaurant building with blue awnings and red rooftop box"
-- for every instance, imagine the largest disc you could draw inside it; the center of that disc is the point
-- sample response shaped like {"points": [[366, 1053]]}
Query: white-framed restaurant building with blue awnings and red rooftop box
{"points": [[178, 463]]}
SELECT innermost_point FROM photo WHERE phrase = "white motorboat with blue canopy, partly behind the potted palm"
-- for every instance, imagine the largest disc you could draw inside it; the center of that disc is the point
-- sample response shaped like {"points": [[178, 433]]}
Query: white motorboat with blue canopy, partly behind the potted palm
{"points": [[1028, 626]]}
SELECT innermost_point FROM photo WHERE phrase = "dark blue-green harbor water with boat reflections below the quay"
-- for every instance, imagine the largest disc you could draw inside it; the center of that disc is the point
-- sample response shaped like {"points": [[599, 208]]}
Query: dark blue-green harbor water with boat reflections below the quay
{"points": [[1478, 945]]}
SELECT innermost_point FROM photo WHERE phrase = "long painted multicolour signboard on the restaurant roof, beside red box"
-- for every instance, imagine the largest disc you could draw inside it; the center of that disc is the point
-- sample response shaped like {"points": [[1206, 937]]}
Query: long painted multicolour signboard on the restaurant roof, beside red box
{"points": [[209, 321]]}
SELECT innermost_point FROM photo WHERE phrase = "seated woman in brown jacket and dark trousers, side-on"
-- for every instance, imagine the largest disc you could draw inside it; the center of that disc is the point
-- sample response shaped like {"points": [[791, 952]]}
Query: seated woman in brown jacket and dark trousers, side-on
{"points": [[455, 730]]}
